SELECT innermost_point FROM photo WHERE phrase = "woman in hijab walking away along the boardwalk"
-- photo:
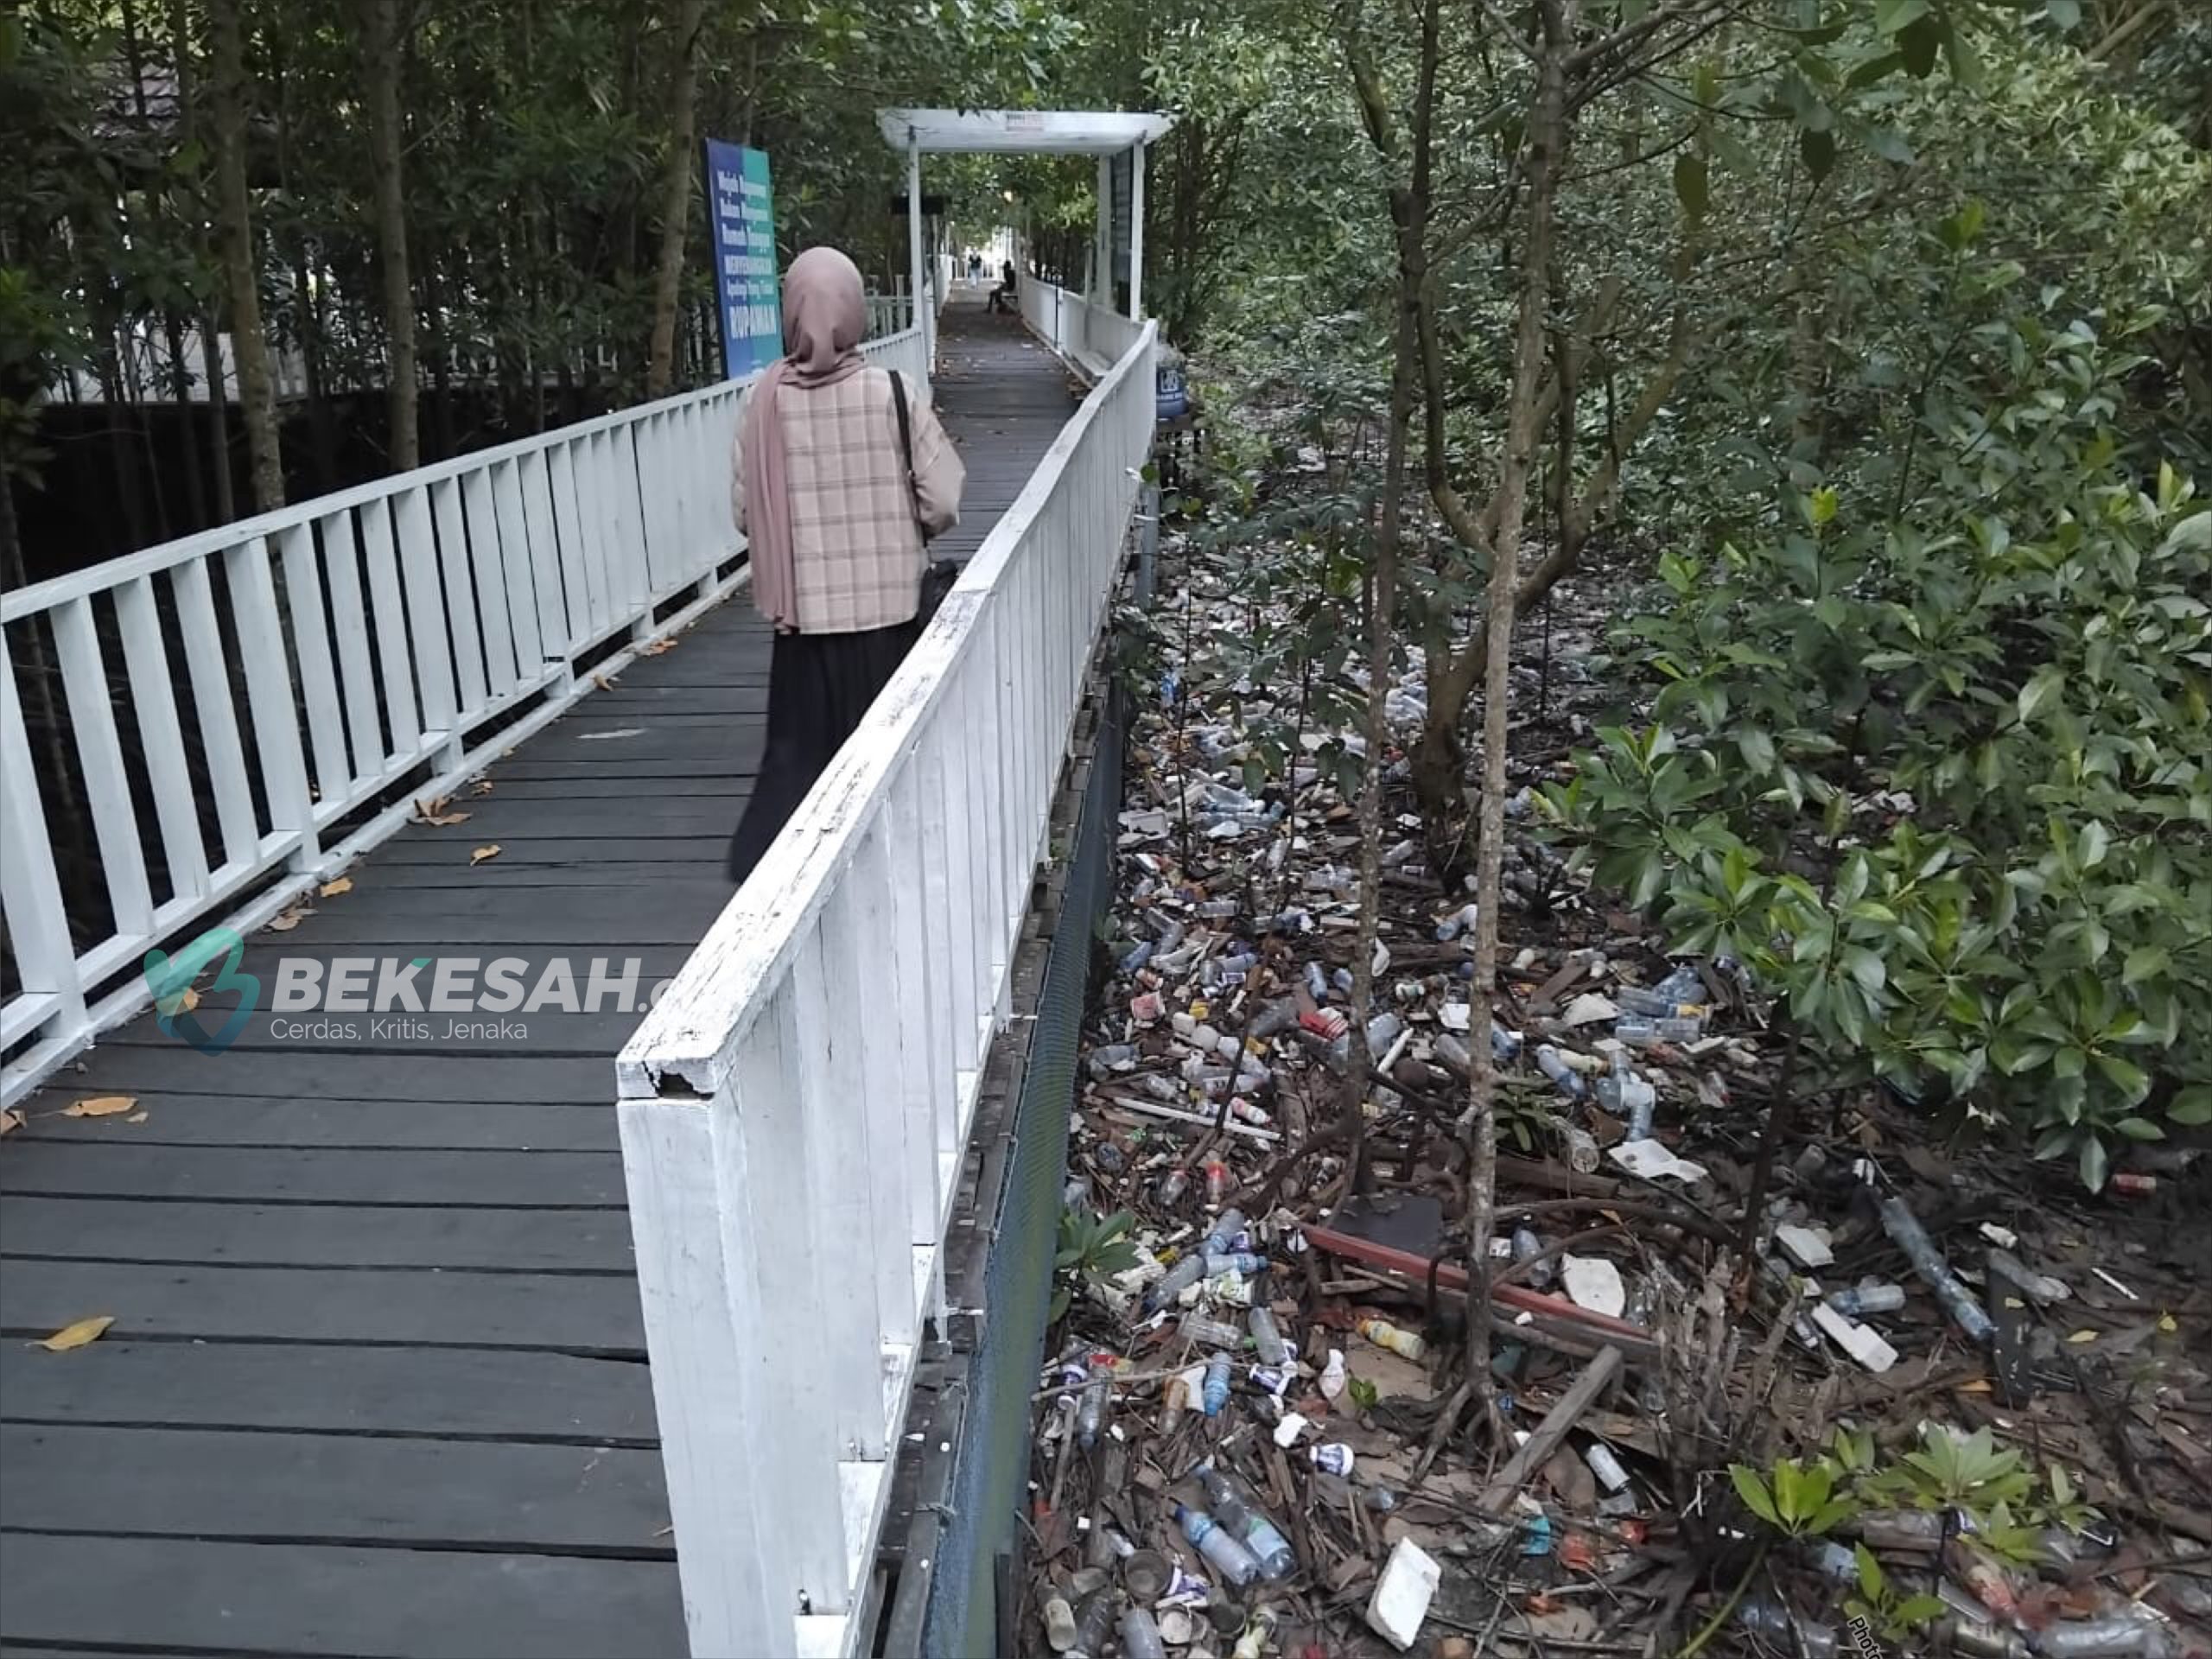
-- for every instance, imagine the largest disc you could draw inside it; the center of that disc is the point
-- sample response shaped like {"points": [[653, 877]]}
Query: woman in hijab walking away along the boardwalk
{"points": [[835, 523]]}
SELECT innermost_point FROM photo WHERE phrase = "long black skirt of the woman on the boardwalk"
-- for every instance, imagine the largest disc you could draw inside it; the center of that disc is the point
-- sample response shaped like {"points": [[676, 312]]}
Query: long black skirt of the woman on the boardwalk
{"points": [[820, 687]]}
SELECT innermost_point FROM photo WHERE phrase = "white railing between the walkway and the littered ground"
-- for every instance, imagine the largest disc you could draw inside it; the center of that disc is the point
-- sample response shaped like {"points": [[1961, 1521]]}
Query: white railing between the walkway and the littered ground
{"points": [[797, 1105]]}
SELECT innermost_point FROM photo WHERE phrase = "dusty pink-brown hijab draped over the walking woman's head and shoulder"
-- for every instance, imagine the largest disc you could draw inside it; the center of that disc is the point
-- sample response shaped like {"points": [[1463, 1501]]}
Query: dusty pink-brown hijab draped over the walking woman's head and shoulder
{"points": [[824, 320]]}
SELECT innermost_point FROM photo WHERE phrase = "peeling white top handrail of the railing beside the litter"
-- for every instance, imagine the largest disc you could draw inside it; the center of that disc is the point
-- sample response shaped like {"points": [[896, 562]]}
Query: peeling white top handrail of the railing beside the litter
{"points": [[755, 937]]}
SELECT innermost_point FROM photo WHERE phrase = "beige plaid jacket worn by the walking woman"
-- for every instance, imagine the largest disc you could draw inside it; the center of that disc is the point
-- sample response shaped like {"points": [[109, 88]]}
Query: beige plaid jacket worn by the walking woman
{"points": [[857, 552]]}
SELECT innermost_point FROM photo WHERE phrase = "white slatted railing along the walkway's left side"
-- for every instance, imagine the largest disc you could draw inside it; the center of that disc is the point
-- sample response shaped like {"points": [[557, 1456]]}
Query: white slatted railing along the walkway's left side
{"points": [[384, 638]]}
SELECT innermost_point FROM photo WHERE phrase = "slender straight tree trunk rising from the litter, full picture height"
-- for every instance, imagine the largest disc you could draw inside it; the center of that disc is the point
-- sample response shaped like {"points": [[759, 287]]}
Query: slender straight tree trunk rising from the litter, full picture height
{"points": [[1547, 147]]}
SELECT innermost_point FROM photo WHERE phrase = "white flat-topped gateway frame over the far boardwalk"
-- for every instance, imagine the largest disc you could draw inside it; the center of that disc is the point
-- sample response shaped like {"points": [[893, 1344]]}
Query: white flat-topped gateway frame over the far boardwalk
{"points": [[1027, 132]]}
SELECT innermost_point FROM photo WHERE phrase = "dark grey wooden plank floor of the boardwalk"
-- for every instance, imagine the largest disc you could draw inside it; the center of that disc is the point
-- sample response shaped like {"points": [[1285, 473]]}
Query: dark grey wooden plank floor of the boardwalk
{"points": [[377, 1373]]}
